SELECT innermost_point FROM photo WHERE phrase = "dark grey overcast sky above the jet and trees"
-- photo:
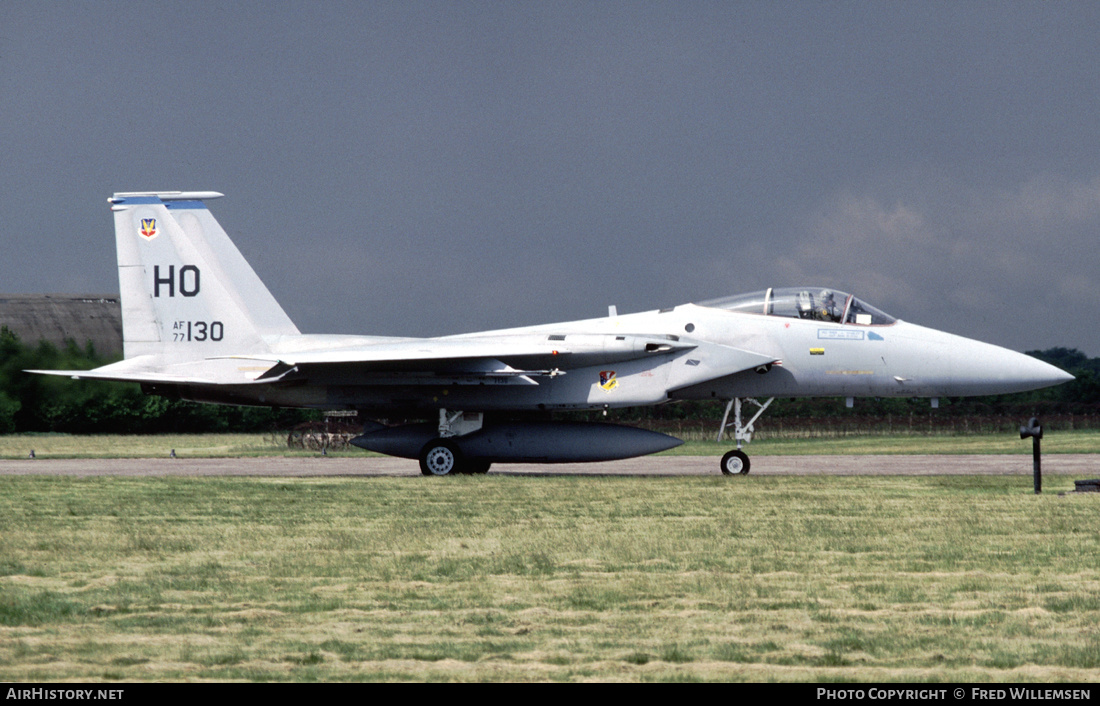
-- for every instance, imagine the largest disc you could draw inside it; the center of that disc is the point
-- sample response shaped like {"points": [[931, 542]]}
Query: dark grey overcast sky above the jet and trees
{"points": [[438, 168]]}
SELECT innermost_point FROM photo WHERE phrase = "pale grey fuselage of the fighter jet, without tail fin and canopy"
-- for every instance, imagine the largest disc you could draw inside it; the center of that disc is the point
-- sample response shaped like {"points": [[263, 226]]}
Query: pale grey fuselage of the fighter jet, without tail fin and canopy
{"points": [[809, 359]]}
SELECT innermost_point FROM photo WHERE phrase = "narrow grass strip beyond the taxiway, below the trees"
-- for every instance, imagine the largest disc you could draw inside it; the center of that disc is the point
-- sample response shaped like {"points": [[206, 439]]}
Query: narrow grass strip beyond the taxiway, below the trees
{"points": [[232, 446]]}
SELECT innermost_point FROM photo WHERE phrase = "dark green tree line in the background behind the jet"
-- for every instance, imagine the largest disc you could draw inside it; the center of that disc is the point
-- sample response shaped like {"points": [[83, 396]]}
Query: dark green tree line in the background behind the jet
{"points": [[50, 404]]}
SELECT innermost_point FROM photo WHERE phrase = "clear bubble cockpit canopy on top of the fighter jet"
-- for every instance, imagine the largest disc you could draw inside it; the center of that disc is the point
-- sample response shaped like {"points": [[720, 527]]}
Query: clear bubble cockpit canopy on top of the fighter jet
{"points": [[818, 304]]}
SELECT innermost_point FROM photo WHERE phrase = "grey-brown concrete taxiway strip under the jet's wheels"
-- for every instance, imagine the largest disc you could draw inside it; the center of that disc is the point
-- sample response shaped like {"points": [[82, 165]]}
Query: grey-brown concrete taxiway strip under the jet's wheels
{"points": [[1084, 466]]}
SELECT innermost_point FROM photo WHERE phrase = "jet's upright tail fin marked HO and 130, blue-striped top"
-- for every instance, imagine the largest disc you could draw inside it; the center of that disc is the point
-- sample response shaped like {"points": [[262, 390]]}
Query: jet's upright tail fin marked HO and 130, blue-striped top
{"points": [[188, 293]]}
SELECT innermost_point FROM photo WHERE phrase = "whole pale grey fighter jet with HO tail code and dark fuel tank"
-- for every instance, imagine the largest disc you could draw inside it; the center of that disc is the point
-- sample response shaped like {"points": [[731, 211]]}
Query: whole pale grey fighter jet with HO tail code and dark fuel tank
{"points": [[200, 325]]}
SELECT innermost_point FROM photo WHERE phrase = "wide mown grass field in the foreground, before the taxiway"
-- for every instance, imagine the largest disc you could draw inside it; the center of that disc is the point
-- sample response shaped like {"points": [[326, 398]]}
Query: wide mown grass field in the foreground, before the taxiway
{"points": [[505, 578]]}
